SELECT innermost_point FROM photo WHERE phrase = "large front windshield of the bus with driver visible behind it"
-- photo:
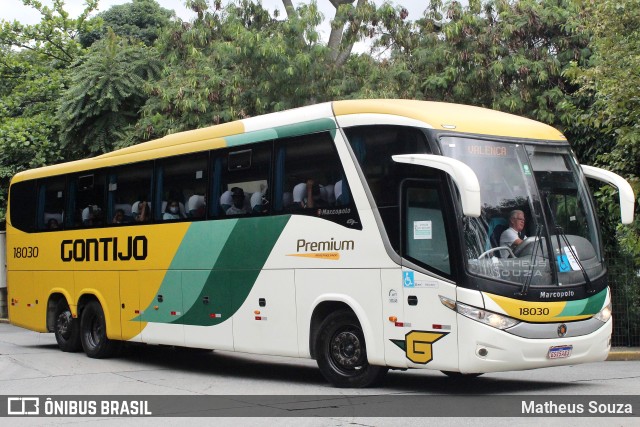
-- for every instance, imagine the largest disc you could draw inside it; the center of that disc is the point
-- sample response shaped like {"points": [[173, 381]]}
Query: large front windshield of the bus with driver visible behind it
{"points": [[534, 202]]}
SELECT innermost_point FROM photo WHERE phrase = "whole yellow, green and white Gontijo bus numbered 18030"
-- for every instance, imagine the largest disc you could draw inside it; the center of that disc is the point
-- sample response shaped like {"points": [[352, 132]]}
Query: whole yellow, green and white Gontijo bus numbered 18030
{"points": [[363, 234]]}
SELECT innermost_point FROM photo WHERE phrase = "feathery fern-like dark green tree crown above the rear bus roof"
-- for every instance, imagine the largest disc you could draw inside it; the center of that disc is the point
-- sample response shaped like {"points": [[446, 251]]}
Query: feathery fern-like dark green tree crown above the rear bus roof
{"points": [[105, 94]]}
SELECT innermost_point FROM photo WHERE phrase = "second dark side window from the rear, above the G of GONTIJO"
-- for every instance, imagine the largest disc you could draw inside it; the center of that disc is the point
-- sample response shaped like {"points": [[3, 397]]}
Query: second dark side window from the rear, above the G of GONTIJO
{"points": [[51, 203]]}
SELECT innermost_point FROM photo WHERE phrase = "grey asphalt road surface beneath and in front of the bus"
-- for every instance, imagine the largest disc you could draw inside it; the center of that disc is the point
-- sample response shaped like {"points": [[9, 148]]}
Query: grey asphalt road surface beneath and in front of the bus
{"points": [[31, 364]]}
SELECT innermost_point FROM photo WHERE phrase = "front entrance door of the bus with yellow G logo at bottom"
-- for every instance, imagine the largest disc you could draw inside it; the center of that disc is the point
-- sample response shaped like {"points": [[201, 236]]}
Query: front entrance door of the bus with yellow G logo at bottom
{"points": [[430, 337]]}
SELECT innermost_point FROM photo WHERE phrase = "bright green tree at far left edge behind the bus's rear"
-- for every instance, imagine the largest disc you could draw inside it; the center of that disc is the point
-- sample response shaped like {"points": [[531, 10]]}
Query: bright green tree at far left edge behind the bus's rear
{"points": [[33, 73]]}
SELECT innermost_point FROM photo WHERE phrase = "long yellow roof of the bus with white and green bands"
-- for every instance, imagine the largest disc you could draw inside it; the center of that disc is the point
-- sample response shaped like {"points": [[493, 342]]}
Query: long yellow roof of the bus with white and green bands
{"points": [[313, 118]]}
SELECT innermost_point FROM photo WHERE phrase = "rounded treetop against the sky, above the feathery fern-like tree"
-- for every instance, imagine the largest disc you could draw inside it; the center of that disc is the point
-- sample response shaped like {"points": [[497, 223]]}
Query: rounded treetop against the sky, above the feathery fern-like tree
{"points": [[142, 20]]}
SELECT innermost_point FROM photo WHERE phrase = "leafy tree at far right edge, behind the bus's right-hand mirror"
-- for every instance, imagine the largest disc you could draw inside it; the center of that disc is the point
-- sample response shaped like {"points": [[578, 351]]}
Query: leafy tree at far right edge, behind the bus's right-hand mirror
{"points": [[612, 79]]}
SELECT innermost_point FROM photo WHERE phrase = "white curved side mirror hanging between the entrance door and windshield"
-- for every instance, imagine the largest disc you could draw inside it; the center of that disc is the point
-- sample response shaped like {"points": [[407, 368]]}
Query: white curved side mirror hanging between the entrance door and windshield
{"points": [[462, 175]]}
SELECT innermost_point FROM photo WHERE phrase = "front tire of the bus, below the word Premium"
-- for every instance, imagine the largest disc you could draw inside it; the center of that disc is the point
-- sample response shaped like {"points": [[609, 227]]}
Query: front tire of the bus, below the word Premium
{"points": [[342, 353]]}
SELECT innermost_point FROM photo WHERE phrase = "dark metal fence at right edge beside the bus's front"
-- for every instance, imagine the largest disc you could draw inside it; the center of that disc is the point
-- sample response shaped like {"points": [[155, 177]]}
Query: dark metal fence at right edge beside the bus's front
{"points": [[624, 280]]}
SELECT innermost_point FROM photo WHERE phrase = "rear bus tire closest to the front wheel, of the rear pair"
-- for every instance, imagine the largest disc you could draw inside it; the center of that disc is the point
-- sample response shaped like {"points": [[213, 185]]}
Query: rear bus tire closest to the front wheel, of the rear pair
{"points": [[93, 332]]}
